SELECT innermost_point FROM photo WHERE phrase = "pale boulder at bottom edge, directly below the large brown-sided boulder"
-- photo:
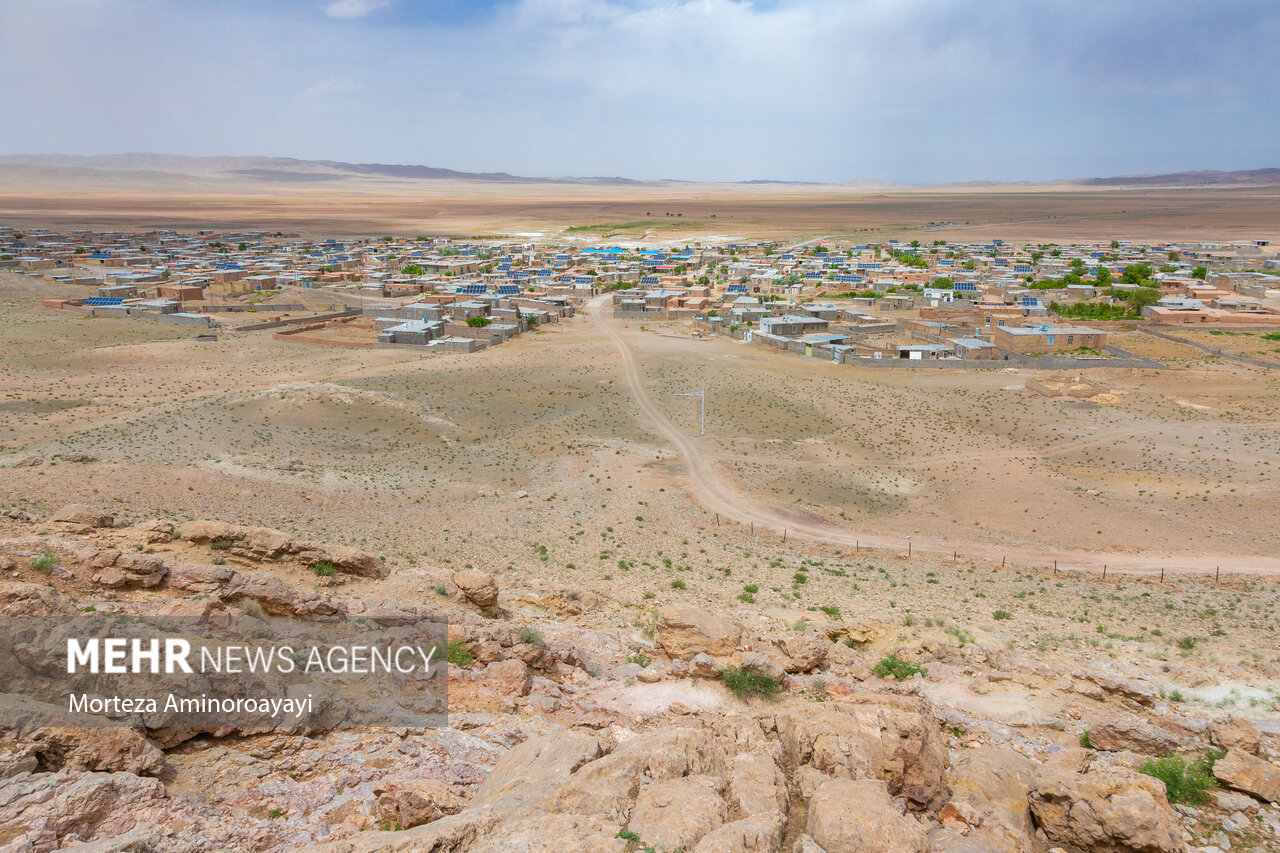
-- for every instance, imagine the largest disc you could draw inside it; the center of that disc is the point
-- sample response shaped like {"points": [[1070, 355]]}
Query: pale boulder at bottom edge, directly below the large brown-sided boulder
{"points": [[858, 816]]}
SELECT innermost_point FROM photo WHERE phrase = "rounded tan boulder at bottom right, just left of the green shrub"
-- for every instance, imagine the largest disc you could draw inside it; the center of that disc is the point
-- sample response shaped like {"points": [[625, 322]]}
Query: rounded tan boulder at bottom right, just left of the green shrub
{"points": [[1105, 810]]}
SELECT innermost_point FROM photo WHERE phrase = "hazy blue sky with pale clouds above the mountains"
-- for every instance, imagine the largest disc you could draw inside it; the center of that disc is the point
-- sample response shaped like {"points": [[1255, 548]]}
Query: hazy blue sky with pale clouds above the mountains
{"points": [[912, 92]]}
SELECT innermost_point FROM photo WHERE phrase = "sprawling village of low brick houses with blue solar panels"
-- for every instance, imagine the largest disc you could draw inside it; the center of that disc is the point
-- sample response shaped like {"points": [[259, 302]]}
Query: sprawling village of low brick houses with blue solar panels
{"points": [[892, 304]]}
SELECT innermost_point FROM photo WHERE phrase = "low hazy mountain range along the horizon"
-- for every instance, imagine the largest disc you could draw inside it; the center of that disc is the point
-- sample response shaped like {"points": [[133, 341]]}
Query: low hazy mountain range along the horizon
{"points": [[154, 167]]}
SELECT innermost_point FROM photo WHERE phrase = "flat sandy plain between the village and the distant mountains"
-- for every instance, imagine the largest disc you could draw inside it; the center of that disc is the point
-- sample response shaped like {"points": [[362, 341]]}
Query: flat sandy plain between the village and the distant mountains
{"points": [[657, 213]]}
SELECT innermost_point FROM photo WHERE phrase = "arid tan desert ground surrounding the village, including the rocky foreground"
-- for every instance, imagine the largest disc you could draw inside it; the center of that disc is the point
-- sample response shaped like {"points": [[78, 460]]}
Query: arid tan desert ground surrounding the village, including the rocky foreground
{"points": [[829, 519]]}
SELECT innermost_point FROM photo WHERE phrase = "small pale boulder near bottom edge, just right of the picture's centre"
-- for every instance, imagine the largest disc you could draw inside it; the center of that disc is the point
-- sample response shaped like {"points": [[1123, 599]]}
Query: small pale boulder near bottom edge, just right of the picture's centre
{"points": [[679, 813]]}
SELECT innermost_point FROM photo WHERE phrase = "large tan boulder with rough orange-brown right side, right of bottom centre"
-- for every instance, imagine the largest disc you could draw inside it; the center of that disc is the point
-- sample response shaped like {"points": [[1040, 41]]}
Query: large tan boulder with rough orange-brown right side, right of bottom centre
{"points": [[899, 747]]}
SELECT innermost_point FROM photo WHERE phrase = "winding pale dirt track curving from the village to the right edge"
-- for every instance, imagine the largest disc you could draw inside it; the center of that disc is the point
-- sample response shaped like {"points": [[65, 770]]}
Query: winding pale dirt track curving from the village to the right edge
{"points": [[710, 490]]}
